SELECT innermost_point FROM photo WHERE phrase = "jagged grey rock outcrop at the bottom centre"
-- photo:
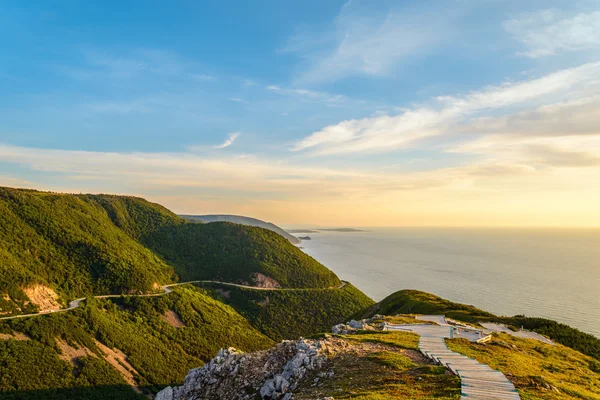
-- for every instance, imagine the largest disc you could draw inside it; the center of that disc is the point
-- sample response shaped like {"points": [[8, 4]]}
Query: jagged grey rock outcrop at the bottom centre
{"points": [[269, 375]]}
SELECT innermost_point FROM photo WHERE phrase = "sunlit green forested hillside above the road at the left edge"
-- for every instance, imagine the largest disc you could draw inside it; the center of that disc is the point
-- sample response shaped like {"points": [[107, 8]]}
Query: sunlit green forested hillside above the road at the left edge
{"points": [[69, 243]]}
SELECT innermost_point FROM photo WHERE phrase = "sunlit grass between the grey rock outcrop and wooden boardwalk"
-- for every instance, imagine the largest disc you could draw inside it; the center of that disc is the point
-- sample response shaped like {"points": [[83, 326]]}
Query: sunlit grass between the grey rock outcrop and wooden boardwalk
{"points": [[372, 369]]}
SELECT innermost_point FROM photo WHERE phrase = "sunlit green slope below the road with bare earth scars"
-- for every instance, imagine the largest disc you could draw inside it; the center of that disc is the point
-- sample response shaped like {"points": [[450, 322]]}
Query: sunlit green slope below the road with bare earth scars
{"points": [[160, 353]]}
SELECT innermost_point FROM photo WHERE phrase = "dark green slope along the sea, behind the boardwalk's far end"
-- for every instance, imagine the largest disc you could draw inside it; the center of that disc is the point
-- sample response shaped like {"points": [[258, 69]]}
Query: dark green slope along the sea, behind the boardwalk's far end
{"points": [[416, 302]]}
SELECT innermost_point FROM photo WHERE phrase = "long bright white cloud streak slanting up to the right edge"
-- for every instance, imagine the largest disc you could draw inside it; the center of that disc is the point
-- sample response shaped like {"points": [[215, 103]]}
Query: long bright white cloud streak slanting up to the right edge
{"points": [[387, 133]]}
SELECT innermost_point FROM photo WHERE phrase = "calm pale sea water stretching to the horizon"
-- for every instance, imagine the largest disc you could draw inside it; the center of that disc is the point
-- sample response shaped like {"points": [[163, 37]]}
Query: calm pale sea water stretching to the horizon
{"points": [[544, 273]]}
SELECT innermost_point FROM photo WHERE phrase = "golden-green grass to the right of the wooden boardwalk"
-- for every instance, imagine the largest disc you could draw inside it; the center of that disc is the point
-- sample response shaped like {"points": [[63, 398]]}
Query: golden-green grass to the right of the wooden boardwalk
{"points": [[535, 368]]}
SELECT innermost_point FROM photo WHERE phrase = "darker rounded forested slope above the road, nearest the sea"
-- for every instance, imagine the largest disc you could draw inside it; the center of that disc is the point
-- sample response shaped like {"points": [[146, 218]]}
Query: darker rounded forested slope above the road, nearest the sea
{"points": [[232, 253]]}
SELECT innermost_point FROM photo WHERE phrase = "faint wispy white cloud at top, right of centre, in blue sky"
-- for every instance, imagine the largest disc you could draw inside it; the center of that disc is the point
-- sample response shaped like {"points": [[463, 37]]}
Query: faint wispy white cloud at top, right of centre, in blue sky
{"points": [[362, 43]]}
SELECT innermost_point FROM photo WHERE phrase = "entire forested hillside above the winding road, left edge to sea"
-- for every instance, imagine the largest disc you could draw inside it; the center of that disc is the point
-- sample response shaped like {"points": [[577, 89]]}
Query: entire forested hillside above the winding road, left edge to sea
{"points": [[78, 245]]}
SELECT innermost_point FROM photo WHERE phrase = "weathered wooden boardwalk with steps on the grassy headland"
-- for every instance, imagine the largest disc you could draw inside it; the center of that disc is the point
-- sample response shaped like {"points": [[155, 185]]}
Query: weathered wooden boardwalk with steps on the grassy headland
{"points": [[478, 381]]}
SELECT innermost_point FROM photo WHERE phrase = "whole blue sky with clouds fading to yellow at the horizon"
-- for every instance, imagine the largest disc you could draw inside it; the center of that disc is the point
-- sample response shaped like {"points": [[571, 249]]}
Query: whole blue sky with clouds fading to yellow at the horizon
{"points": [[328, 113]]}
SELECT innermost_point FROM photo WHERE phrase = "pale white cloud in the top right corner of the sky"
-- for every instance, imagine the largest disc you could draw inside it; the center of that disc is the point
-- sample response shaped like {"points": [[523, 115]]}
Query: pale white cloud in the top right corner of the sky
{"points": [[549, 32]]}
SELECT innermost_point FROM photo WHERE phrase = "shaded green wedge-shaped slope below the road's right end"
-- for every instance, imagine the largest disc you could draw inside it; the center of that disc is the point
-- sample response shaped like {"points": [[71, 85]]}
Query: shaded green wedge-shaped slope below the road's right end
{"points": [[288, 314]]}
